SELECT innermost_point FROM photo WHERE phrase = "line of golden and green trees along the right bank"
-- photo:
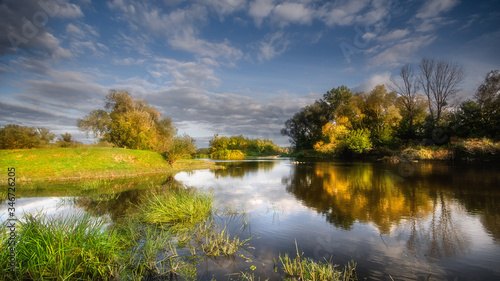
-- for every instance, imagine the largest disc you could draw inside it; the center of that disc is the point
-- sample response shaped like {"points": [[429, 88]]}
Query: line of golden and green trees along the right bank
{"points": [[415, 108]]}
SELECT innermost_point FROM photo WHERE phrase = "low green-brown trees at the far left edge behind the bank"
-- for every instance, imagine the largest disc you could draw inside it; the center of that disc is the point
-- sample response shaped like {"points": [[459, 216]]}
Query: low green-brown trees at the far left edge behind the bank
{"points": [[14, 136]]}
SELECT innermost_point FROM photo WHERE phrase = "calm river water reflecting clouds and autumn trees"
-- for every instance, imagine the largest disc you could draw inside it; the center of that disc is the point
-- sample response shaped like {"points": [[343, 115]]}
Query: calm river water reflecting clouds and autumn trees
{"points": [[404, 221]]}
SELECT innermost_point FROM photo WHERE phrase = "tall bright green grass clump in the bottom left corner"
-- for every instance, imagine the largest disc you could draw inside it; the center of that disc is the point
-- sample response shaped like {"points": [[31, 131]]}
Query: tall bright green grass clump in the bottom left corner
{"points": [[74, 247]]}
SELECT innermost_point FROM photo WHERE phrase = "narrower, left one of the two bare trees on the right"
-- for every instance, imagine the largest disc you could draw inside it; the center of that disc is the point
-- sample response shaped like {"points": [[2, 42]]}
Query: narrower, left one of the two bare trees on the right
{"points": [[407, 88]]}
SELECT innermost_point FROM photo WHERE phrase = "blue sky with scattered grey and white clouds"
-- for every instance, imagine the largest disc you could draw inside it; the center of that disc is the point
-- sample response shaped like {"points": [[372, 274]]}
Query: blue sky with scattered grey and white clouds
{"points": [[225, 67]]}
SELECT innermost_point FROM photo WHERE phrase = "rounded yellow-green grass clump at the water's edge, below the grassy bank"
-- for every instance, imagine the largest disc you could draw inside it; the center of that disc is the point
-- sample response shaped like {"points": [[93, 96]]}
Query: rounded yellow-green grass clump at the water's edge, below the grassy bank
{"points": [[177, 208]]}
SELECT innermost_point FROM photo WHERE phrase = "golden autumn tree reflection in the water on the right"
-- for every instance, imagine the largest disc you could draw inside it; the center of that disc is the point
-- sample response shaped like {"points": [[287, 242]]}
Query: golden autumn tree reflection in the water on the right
{"points": [[423, 208]]}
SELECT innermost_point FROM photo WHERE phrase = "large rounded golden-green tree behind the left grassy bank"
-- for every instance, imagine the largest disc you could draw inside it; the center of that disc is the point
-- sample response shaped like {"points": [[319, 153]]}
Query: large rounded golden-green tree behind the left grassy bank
{"points": [[130, 123]]}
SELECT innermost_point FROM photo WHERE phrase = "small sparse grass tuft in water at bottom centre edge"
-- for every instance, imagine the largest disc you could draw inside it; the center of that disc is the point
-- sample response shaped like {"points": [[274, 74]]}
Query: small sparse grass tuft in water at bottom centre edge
{"points": [[303, 268]]}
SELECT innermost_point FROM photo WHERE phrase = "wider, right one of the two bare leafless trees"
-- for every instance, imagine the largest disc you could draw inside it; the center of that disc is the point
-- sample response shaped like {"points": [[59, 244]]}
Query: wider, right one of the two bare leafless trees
{"points": [[440, 80]]}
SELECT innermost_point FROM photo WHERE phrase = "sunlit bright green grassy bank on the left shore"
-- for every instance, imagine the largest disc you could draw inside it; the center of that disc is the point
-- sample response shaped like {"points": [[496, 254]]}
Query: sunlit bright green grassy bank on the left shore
{"points": [[72, 164]]}
